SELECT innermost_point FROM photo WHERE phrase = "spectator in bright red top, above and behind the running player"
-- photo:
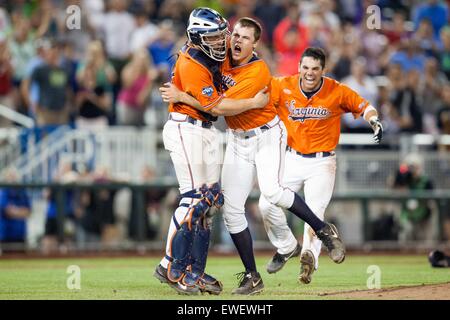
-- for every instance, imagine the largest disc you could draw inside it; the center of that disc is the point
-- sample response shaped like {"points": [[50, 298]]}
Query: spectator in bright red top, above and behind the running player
{"points": [[290, 39]]}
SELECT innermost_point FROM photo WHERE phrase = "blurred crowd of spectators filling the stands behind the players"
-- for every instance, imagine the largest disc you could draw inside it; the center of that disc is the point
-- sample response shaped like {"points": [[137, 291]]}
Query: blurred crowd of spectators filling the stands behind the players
{"points": [[100, 68]]}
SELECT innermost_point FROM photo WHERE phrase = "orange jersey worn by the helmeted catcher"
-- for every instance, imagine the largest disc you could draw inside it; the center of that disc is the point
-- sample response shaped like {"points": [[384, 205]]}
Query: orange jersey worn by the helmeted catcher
{"points": [[198, 75]]}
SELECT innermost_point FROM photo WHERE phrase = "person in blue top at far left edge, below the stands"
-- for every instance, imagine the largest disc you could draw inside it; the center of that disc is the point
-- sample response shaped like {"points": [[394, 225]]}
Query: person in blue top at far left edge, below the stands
{"points": [[15, 209]]}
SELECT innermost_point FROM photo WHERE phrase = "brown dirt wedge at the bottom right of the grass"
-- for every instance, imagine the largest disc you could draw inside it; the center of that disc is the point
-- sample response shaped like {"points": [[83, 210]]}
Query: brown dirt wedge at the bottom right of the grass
{"points": [[423, 292]]}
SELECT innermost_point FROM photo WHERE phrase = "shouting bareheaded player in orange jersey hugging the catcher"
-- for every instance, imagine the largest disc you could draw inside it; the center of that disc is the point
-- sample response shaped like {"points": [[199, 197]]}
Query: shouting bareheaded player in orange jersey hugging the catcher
{"points": [[256, 148]]}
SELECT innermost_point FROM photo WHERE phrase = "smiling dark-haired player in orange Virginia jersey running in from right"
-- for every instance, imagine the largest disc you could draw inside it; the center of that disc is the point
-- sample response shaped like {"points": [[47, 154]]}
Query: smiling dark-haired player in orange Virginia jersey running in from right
{"points": [[311, 106]]}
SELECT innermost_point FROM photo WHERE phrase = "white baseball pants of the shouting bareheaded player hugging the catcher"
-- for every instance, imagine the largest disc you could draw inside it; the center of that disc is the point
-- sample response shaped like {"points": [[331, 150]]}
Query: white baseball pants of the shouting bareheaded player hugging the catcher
{"points": [[246, 157]]}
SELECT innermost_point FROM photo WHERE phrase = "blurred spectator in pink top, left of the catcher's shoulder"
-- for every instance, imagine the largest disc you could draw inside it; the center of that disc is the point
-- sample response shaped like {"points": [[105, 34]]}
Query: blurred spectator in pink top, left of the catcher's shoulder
{"points": [[137, 80]]}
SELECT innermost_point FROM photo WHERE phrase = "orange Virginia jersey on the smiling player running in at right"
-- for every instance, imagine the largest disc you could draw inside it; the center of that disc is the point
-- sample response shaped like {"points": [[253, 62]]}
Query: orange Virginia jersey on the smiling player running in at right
{"points": [[314, 124]]}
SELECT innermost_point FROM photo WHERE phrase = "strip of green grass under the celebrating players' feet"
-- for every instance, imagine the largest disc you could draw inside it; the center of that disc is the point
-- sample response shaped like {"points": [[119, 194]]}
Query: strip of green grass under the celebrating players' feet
{"points": [[131, 278]]}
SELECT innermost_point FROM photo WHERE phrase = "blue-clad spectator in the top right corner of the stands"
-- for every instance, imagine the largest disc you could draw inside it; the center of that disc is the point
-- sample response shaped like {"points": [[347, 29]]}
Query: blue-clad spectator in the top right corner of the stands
{"points": [[435, 11]]}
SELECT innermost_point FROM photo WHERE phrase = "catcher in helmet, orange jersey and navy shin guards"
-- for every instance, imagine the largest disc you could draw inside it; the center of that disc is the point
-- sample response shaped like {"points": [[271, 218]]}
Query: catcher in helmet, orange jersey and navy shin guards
{"points": [[191, 139]]}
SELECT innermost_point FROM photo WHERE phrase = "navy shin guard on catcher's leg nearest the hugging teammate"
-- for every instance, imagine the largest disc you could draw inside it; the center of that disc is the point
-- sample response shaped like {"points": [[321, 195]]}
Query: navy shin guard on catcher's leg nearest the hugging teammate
{"points": [[200, 247]]}
